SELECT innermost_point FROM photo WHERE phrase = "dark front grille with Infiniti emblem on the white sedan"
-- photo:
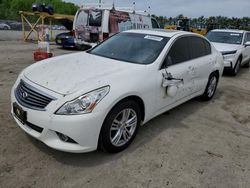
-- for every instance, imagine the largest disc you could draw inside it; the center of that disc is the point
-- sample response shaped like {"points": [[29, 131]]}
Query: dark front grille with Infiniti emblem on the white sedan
{"points": [[31, 97]]}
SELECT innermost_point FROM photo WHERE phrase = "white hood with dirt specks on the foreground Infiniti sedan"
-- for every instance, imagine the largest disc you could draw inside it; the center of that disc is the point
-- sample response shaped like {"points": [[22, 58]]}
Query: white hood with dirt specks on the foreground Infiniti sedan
{"points": [[79, 71]]}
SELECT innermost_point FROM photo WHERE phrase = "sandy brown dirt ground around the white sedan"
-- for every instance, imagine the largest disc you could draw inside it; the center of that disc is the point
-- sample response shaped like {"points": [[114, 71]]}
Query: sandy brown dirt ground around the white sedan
{"points": [[198, 144]]}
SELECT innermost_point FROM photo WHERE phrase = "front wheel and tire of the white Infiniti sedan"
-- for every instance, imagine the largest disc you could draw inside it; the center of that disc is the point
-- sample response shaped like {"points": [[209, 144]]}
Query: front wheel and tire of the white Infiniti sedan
{"points": [[116, 135]]}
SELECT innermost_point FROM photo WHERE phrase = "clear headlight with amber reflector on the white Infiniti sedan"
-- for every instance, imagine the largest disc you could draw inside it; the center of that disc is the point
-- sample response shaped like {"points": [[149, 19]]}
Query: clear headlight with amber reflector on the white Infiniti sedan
{"points": [[85, 103]]}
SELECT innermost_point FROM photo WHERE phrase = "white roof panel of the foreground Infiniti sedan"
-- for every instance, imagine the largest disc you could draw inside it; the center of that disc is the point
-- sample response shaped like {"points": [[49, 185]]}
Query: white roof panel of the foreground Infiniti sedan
{"points": [[160, 32]]}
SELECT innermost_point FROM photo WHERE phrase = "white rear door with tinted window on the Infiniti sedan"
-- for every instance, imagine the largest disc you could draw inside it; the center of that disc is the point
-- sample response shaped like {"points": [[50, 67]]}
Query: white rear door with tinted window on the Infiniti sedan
{"points": [[202, 60]]}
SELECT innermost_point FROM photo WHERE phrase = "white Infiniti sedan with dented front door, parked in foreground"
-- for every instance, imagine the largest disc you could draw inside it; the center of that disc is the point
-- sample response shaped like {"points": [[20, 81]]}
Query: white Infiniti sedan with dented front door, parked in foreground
{"points": [[100, 97]]}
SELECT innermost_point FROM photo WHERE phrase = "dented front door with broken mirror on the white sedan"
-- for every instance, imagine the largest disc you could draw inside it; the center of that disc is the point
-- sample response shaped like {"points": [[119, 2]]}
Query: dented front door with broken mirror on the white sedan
{"points": [[176, 76]]}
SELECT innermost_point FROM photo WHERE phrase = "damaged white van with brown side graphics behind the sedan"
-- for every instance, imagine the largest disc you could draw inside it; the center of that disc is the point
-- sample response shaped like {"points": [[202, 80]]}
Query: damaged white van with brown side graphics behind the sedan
{"points": [[93, 25]]}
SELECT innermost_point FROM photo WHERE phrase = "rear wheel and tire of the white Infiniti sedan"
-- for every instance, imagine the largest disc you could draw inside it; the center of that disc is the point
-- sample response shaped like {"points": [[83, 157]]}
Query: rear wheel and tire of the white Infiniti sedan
{"points": [[210, 88]]}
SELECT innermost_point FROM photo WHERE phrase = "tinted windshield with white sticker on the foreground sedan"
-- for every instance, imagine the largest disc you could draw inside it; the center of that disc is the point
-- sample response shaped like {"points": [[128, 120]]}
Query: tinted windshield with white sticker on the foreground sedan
{"points": [[132, 47]]}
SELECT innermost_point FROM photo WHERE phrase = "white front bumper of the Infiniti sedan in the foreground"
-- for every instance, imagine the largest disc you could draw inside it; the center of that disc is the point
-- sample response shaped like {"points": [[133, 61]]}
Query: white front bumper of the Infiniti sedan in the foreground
{"points": [[83, 129]]}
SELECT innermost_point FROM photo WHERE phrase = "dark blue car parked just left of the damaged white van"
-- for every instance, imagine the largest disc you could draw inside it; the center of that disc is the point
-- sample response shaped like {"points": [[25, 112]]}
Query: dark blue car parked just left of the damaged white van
{"points": [[66, 40]]}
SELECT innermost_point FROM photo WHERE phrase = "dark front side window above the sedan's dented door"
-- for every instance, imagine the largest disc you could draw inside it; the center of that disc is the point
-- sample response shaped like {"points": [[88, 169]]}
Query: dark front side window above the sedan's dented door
{"points": [[178, 53]]}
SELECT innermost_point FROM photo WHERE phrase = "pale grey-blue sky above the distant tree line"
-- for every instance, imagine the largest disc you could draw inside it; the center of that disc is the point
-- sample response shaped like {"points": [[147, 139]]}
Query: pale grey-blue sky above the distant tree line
{"points": [[189, 8]]}
